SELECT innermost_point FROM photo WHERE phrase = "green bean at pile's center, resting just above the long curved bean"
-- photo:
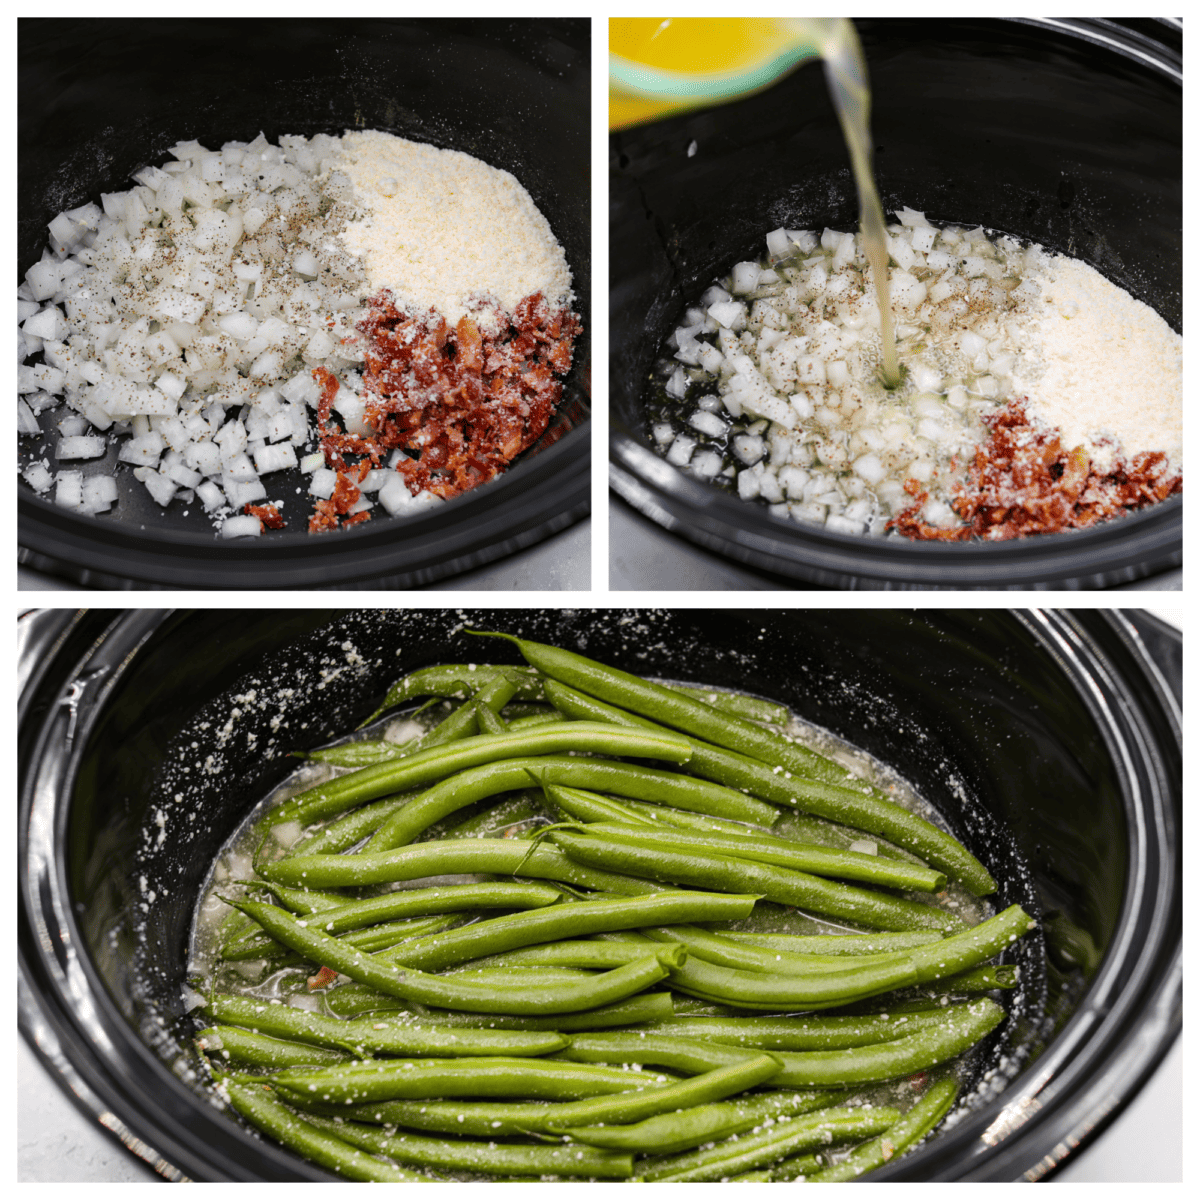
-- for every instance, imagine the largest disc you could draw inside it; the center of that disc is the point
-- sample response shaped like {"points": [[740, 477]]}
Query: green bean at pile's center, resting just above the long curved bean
{"points": [[559, 922]]}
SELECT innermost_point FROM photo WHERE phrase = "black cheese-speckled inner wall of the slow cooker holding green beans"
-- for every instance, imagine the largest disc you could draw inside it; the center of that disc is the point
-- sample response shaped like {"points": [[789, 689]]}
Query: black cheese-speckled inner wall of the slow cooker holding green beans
{"points": [[970, 709]]}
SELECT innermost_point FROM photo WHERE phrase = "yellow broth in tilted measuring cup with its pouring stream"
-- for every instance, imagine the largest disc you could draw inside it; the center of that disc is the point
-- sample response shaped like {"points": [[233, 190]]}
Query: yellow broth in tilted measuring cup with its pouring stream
{"points": [[716, 59]]}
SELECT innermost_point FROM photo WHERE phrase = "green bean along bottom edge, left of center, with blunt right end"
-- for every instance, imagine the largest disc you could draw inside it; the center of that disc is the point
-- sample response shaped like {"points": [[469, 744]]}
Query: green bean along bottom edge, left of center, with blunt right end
{"points": [[482, 1157]]}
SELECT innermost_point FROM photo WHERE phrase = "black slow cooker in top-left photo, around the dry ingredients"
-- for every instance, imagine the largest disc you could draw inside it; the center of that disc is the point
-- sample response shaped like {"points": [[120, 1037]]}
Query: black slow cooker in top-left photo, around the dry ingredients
{"points": [[101, 99]]}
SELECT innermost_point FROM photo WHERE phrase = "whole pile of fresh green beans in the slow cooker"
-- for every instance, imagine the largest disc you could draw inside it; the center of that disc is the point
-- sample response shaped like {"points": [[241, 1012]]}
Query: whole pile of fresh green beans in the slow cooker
{"points": [[591, 1005]]}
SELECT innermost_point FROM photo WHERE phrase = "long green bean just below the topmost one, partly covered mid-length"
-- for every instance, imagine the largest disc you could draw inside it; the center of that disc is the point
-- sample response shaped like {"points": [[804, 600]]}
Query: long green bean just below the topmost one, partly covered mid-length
{"points": [[831, 799]]}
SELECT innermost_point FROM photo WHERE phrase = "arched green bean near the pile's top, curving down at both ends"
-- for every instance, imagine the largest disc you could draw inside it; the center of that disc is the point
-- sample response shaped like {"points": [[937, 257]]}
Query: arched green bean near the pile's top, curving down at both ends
{"points": [[490, 779]]}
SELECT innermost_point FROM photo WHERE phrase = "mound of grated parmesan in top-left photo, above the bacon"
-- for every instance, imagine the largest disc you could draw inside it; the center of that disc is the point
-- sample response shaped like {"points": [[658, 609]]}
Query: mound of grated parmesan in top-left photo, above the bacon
{"points": [[443, 230]]}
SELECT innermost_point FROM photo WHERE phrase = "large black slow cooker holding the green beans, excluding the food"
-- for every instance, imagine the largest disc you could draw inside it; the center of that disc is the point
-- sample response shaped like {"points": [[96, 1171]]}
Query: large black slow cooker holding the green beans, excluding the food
{"points": [[1049, 741]]}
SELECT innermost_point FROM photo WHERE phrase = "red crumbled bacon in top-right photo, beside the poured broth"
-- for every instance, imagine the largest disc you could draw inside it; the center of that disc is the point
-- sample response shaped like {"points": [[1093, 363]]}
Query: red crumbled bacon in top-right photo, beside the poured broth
{"points": [[1023, 482]]}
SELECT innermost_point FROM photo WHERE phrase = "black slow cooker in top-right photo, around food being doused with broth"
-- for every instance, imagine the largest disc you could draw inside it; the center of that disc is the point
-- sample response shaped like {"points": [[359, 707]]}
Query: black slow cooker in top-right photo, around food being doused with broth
{"points": [[1063, 133]]}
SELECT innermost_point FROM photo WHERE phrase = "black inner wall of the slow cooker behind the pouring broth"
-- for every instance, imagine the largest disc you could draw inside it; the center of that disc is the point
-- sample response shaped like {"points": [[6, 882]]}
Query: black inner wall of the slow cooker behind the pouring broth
{"points": [[1007, 125]]}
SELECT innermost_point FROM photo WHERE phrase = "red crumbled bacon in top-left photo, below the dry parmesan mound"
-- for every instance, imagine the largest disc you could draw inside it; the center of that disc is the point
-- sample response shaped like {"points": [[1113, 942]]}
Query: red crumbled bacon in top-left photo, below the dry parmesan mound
{"points": [[464, 400]]}
